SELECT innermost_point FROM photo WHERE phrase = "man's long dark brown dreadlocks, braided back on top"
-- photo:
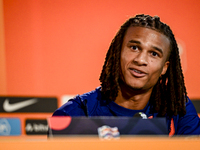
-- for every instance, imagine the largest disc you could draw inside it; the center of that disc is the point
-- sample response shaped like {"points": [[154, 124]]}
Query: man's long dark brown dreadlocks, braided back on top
{"points": [[169, 94]]}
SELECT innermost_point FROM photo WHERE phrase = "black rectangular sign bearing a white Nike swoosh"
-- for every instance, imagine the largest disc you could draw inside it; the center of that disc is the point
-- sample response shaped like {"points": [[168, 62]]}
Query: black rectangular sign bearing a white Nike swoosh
{"points": [[28, 104]]}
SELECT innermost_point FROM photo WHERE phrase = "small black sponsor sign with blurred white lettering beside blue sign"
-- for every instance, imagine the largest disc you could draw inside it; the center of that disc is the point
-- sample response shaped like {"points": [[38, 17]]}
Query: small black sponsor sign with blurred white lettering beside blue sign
{"points": [[36, 127]]}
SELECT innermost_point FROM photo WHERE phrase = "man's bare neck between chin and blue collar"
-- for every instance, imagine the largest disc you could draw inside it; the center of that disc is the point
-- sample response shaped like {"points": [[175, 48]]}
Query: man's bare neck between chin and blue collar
{"points": [[133, 99]]}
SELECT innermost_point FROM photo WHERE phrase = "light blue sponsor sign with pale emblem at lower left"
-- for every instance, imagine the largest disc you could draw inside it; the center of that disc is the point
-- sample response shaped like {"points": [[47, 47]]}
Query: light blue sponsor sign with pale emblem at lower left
{"points": [[10, 126]]}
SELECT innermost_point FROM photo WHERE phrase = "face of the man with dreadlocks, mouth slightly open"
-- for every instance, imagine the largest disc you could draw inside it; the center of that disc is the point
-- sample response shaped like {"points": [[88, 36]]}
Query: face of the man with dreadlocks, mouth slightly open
{"points": [[143, 57]]}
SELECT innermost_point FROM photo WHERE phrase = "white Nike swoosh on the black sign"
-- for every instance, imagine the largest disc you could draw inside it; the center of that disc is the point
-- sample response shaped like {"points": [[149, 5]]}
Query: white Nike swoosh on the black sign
{"points": [[16, 106]]}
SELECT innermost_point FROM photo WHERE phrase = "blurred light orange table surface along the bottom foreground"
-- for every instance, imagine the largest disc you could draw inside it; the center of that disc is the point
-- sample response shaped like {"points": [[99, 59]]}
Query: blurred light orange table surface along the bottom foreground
{"points": [[94, 143]]}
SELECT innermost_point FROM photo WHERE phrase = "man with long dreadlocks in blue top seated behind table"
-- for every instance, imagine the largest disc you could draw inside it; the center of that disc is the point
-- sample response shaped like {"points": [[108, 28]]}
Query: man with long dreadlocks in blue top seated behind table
{"points": [[141, 73]]}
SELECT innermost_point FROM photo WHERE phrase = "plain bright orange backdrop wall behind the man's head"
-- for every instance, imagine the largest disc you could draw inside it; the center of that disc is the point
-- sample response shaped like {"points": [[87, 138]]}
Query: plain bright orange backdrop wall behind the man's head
{"points": [[56, 47]]}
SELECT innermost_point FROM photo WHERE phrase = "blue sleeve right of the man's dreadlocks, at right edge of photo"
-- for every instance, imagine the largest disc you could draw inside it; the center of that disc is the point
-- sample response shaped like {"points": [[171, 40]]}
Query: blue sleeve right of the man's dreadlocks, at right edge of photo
{"points": [[190, 123]]}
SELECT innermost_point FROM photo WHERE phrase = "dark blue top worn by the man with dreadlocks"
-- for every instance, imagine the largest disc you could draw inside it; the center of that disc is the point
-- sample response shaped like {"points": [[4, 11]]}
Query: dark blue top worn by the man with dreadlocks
{"points": [[91, 104]]}
